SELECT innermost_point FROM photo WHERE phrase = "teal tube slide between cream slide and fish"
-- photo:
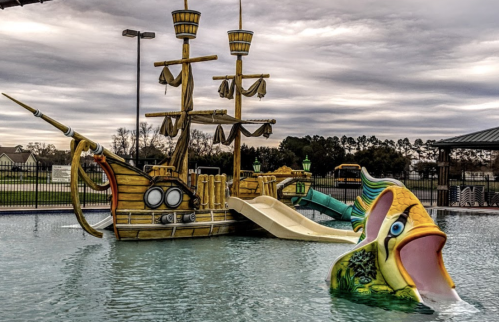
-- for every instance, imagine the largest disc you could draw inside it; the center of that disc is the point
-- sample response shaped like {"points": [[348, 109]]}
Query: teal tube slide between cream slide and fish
{"points": [[325, 204]]}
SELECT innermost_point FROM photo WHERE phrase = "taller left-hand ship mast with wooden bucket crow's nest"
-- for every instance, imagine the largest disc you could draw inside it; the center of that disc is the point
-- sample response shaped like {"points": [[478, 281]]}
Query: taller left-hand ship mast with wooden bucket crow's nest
{"points": [[186, 24]]}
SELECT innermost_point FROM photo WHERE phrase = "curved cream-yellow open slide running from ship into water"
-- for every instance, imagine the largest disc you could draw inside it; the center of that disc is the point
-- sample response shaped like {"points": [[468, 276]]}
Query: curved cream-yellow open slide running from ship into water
{"points": [[284, 222]]}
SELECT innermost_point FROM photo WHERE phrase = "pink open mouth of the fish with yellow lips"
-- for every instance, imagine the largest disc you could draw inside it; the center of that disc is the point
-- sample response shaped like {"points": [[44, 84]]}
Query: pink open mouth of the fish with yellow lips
{"points": [[421, 264]]}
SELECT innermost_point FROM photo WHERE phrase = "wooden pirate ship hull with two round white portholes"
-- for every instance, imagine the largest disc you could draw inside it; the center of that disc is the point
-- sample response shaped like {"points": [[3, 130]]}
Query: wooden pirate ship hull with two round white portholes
{"points": [[140, 208]]}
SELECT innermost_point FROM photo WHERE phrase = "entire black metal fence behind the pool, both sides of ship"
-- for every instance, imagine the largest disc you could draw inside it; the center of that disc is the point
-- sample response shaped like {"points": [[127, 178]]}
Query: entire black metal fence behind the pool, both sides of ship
{"points": [[33, 186]]}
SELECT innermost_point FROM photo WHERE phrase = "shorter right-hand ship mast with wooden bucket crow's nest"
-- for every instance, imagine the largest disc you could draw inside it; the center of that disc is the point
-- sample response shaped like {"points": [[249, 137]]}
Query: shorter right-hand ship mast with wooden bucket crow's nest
{"points": [[239, 42]]}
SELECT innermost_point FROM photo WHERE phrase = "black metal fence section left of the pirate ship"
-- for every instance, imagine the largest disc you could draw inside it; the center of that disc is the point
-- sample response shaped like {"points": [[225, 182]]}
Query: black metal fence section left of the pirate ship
{"points": [[32, 185]]}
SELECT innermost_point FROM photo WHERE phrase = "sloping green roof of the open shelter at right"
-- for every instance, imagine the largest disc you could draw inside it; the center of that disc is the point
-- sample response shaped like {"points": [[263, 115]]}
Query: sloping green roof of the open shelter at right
{"points": [[486, 139]]}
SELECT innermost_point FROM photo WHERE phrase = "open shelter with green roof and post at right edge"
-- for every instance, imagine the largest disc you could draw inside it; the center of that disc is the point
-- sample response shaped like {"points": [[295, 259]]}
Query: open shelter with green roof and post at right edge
{"points": [[485, 140]]}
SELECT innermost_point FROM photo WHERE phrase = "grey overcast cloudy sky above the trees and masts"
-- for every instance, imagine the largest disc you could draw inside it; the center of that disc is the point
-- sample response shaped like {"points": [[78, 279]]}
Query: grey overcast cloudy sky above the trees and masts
{"points": [[417, 69]]}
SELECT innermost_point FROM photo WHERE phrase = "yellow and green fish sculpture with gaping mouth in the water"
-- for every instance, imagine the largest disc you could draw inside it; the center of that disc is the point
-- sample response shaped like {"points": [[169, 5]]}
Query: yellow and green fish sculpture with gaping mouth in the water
{"points": [[400, 250]]}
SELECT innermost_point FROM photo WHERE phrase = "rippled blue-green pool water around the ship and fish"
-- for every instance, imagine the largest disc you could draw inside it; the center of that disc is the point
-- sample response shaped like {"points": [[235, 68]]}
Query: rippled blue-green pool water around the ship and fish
{"points": [[49, 273]]}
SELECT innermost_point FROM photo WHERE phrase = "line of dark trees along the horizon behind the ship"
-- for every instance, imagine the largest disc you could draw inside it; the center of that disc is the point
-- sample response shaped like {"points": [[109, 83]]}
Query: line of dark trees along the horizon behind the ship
{"points": [[380, 157]]}
